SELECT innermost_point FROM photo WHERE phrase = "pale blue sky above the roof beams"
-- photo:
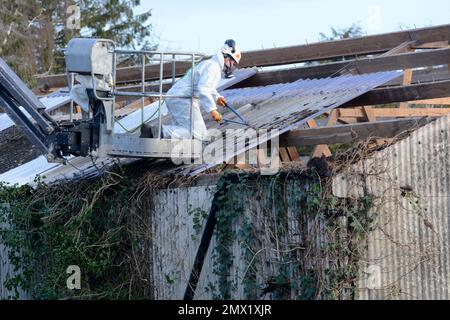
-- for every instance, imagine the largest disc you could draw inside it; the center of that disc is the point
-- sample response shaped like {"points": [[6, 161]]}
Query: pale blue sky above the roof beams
{"points": [[203, 26]]}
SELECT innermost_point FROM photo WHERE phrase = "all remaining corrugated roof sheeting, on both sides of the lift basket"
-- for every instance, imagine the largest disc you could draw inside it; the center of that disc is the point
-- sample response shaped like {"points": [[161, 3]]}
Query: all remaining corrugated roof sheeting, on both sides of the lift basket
{"points": [[283, 107]]}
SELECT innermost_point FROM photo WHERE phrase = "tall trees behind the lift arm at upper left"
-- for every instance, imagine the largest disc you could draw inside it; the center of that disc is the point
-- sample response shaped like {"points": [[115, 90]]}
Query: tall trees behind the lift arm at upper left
{"points": [[34, 33]]}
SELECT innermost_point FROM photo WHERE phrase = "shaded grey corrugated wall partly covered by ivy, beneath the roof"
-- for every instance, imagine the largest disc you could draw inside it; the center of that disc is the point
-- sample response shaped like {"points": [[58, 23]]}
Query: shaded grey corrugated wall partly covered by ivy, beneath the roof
{"points": [[278, 243]]}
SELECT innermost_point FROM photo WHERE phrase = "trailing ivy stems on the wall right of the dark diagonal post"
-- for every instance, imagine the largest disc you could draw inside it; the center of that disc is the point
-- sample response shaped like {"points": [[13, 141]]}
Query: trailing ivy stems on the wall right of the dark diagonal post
{"points": [[282, 198]]}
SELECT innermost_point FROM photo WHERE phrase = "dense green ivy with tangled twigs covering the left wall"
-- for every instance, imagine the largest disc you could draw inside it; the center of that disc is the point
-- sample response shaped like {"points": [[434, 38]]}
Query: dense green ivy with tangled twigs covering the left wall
{"points": [[94, 224]]}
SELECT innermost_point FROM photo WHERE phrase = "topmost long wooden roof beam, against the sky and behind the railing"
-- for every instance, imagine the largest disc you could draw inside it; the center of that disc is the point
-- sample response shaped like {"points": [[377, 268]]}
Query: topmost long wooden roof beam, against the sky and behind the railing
{"points": [[352, 47]]}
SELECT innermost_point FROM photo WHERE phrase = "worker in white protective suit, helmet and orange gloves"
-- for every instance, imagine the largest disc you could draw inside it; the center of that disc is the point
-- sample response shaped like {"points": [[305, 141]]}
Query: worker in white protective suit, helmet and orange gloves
{"points": [[207, 75]]}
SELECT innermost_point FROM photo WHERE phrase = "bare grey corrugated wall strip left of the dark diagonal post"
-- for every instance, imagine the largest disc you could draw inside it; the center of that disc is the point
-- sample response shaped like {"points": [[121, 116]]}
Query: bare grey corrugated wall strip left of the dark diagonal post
{"points": [[173, 245]]}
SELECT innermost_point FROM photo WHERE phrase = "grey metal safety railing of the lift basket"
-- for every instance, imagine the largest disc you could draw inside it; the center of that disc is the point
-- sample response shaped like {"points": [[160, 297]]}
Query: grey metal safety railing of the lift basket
{"points": [[161, 58]]}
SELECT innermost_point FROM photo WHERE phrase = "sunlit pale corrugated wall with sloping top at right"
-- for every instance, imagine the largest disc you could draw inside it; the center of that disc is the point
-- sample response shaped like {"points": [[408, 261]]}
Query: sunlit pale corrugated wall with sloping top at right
{"points": [[413, 247]]}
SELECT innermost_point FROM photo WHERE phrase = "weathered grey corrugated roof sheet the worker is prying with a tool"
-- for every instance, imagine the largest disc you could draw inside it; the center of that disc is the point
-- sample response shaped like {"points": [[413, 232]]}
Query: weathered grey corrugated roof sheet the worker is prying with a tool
{"points": [[293, 104]]}
